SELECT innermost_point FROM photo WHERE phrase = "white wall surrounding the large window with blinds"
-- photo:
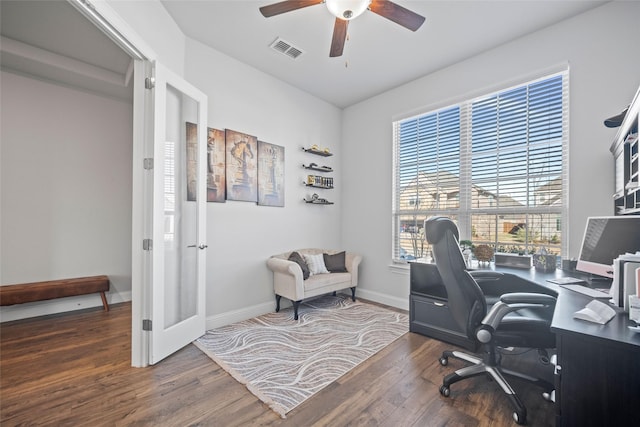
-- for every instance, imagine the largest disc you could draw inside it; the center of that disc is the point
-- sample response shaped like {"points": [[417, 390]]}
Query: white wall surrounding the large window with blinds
{"points": [[601, 48]]}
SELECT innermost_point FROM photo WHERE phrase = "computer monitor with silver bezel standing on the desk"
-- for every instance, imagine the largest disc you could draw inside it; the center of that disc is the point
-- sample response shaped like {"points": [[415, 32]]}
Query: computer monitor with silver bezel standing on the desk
{"points": [[606, 238]]}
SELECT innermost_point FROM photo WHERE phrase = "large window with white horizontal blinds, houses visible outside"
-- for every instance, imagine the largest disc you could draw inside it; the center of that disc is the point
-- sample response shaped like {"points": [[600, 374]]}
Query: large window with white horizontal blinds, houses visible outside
{"points": [[496, 165]]}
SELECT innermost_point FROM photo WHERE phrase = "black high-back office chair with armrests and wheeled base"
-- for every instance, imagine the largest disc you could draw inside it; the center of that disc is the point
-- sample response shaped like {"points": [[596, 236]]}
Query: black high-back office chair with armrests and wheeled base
{"points": [[515, 320]]}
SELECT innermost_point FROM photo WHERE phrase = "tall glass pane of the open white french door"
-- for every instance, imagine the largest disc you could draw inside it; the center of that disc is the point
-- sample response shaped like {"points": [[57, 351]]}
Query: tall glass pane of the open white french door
{"points": [[180, 213]]}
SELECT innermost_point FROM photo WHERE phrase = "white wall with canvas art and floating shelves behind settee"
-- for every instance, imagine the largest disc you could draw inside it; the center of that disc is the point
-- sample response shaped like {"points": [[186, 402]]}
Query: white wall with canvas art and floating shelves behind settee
{"points": [[242, 235]]}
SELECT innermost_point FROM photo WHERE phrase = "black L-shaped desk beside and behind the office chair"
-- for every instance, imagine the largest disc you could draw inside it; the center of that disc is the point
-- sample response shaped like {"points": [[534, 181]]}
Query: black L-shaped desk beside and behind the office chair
{"points": [[598, 366]]}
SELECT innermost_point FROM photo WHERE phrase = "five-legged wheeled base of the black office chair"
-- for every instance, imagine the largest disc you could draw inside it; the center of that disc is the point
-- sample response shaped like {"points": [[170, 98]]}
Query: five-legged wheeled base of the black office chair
{"points": [[489, 367]]}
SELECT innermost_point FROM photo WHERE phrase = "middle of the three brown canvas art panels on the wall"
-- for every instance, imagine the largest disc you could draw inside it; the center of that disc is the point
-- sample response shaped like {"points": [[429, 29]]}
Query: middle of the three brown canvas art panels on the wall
{"points": [[241, 166]]}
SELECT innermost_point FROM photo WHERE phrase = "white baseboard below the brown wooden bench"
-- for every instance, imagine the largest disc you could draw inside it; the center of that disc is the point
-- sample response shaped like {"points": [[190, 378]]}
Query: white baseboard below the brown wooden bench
{"points": [[59, 305]]}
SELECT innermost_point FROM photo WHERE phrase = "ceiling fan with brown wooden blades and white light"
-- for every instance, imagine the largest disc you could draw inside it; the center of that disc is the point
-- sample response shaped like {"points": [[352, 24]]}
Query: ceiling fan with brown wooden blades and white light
{"points": [[346, 10]]}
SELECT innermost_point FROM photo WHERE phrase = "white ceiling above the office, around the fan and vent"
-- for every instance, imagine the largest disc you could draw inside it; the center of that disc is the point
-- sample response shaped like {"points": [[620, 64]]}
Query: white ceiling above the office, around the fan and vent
{"points": [[379, 54]]}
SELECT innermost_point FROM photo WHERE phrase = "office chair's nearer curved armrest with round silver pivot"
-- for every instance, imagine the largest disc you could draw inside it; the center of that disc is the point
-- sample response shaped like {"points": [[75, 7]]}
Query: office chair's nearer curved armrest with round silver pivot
{"points": [[508, 303]]}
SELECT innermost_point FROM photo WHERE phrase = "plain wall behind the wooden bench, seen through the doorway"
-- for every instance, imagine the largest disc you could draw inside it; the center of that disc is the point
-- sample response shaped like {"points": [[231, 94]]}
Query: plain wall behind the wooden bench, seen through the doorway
{"points": [[66, 189]]}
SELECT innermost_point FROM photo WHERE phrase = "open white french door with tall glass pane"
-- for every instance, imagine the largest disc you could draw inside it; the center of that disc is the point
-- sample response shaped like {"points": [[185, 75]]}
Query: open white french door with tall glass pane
{"points": [[178, 247]]}
